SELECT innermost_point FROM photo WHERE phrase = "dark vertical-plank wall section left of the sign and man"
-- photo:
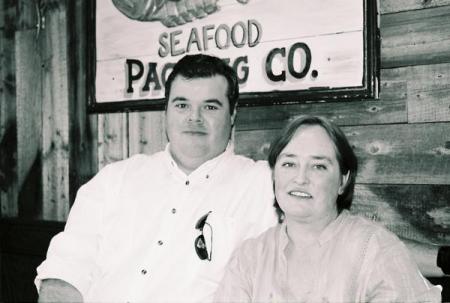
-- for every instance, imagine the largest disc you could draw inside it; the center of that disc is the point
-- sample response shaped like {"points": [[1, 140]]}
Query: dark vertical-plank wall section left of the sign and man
{"points": [[47, 142]]}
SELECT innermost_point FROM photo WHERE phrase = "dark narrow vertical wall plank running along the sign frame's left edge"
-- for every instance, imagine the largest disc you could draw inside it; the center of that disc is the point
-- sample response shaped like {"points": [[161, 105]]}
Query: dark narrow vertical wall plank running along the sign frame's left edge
{"points": [[82, 127]]}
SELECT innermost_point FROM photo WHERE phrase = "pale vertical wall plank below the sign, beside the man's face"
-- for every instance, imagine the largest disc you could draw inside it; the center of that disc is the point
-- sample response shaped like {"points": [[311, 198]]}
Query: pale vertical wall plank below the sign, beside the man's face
{"points": [[147, 134]]}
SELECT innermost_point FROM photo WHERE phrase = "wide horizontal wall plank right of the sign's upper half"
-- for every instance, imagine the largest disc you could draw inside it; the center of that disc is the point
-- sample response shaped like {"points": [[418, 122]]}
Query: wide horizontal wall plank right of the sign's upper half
{"points": [[415, 37]]}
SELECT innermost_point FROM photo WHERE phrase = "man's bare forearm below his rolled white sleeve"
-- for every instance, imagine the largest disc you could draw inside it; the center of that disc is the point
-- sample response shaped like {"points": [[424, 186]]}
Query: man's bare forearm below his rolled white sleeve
{"points": [[55, 290]]}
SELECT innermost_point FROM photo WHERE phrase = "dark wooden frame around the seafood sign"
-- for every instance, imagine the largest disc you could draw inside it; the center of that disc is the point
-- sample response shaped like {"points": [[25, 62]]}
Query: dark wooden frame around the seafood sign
{"points": [[368, 89]]}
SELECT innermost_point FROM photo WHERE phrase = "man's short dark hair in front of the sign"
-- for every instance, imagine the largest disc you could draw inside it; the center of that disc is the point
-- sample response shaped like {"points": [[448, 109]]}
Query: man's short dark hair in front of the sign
{"points": [[205, 66]]}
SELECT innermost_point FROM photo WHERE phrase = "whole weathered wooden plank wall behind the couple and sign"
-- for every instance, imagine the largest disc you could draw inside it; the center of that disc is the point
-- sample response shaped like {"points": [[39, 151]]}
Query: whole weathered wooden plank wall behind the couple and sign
{"points": [[49, 146]]}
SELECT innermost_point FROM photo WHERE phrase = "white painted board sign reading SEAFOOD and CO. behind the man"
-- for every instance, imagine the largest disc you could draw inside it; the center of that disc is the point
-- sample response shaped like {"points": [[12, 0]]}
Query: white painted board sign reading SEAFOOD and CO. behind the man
{"points": [[282, 50]]}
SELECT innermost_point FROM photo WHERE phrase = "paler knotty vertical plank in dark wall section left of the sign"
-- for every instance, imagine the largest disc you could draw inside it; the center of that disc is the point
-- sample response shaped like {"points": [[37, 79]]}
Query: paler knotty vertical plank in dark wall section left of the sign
{"points": [[55, 133]]}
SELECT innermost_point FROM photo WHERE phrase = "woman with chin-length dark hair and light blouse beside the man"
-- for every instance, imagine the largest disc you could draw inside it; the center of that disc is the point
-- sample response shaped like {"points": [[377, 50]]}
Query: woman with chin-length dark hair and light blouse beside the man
{"points": [[320, 252]]}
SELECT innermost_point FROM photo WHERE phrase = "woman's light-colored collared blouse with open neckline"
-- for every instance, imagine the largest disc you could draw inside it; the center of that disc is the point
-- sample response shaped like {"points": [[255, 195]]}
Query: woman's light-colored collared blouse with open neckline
{"points": [[354, 260]]}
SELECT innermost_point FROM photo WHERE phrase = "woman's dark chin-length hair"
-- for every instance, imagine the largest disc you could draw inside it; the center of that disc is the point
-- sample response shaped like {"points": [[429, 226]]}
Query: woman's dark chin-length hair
{"points": [[345, 155]]}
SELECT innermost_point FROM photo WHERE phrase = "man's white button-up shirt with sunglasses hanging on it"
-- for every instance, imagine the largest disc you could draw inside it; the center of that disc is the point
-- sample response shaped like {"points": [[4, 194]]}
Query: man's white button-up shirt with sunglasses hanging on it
{"points": [[131, 231]]}
